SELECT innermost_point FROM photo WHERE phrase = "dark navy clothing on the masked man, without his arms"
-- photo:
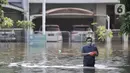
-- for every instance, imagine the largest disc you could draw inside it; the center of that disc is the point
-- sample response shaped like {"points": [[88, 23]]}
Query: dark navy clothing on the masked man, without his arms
{"points": [[89, 60]]}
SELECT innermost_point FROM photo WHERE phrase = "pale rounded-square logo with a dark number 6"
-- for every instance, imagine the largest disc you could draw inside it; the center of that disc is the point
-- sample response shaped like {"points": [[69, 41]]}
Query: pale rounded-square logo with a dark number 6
{"points": [[119, 9]]}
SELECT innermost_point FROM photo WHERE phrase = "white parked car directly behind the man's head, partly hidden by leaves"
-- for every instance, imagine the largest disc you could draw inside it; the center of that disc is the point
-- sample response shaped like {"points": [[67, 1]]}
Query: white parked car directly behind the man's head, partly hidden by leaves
{"points": [[81, 32]]}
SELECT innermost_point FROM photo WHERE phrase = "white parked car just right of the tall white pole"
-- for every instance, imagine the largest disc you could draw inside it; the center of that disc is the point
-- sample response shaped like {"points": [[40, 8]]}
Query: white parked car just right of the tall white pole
{"points": [[53, 33]]}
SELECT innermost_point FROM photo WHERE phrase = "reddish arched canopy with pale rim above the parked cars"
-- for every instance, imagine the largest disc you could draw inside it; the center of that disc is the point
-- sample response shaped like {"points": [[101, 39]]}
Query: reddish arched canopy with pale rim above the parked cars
{"points": [[69, 11]]}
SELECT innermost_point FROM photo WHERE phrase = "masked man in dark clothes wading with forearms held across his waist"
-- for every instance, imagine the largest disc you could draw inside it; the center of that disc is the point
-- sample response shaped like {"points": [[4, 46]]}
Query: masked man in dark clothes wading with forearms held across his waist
{"points": [[89, 52]]}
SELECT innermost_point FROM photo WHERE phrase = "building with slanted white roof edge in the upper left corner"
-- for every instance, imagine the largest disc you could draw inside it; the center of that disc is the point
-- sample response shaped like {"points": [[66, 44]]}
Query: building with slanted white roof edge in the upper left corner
{"points": [[15, 9]]}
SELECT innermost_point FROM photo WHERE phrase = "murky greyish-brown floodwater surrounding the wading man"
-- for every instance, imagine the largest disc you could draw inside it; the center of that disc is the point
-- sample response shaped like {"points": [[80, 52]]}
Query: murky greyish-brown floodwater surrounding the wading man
{"points": [[114, 58]]}
